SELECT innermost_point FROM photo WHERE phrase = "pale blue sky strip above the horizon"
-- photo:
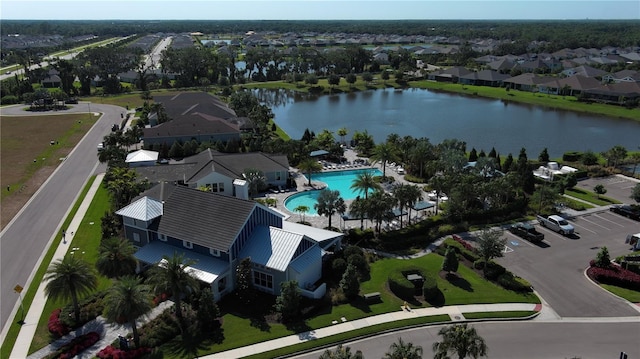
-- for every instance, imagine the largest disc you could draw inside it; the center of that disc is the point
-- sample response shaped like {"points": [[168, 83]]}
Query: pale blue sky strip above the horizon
{"points": [[319, 10]]}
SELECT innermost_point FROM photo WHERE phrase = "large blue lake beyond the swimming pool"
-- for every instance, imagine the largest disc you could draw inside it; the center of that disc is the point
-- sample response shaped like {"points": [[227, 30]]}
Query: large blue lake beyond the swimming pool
{"points": [[482, 123]]}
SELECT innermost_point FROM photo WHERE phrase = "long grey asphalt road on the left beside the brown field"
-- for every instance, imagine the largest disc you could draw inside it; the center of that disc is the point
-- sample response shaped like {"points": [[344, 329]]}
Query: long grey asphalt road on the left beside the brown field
{"points": [[30, 233]]}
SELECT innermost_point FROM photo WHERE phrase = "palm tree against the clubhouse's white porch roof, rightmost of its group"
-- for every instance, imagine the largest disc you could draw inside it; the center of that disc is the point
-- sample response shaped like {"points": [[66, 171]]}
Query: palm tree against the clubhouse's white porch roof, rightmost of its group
{"points": [[171, 276]]}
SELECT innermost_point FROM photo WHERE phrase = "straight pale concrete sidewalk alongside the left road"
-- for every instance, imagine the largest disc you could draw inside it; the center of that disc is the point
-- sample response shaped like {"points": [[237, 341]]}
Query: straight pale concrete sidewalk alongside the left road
{"points": [[28, 330]]}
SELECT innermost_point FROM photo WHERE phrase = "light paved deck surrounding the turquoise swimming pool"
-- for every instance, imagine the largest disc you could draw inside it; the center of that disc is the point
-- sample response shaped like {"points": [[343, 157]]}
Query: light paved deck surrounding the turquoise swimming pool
{"points": [[302, 185]]}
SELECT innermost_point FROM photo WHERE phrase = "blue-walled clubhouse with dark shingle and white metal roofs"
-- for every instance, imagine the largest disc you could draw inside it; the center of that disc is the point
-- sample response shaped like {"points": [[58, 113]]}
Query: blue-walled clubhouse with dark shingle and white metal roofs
{"points": [[218, 231]]}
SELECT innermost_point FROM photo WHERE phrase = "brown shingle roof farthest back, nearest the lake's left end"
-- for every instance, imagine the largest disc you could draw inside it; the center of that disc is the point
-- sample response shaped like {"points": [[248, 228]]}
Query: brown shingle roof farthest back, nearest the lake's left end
{"points": [[188, 103]]}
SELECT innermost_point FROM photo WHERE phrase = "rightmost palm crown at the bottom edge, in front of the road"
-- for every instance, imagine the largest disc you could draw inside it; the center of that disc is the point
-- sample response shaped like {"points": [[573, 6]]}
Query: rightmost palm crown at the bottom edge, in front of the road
{"points": [[461, 340]]}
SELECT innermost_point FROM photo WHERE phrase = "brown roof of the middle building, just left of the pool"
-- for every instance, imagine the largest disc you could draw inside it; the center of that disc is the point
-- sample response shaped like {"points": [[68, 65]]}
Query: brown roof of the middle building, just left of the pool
{"points": [[233, 164]]}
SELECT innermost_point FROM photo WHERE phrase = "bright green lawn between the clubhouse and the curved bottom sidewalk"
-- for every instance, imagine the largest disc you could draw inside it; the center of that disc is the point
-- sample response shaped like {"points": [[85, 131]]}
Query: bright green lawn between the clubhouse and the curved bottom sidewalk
{"points": [[241, 331]]}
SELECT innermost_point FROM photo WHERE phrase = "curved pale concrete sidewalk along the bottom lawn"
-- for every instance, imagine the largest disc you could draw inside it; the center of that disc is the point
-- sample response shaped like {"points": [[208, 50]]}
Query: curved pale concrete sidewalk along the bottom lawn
{"points": [[455, 312]]}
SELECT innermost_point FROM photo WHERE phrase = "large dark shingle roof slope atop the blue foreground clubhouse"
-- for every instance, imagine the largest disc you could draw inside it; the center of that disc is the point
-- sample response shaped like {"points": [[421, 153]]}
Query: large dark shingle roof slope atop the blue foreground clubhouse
{"points": [[208, 219]]}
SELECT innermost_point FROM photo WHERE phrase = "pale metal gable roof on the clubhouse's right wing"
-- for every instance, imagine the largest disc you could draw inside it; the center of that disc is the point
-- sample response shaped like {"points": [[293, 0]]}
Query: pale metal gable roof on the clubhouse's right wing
{"points": [[272, 247]]}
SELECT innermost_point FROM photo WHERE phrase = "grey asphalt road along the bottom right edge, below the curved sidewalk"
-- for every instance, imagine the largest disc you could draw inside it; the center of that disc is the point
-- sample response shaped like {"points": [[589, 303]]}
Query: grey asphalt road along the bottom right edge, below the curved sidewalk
{"points": [[523, 340]]}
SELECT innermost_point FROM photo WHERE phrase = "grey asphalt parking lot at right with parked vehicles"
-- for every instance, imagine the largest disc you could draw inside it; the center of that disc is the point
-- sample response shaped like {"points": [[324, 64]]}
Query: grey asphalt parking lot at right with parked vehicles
{"points": [[556, 266]]}
